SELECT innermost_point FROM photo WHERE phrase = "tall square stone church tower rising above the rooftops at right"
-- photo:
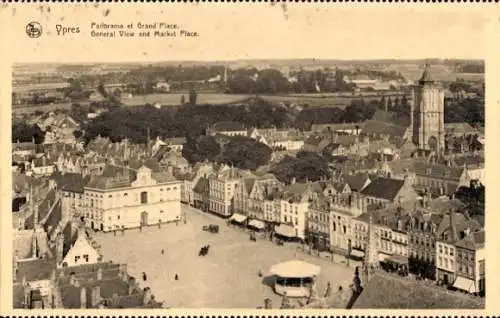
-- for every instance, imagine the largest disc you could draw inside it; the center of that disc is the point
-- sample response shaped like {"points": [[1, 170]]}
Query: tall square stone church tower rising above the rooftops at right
{"points": [[428, 115]]}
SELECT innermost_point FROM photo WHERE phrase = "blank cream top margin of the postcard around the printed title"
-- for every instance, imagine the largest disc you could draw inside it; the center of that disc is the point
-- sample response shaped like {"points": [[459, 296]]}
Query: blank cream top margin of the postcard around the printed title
{"points": [[250, 31]]}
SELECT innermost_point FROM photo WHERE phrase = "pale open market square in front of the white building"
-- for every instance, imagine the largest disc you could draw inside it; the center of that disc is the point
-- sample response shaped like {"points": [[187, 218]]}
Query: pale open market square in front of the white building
{"points": [[226, 278]]}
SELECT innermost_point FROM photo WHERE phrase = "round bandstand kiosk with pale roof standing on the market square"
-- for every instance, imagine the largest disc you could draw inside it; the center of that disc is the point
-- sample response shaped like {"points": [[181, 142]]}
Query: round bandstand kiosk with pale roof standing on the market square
{"points": [[294, 278]]}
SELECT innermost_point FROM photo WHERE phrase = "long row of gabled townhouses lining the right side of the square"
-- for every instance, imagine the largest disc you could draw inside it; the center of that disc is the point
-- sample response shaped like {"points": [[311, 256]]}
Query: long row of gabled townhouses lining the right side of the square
{"points": [[410, 230]]}
